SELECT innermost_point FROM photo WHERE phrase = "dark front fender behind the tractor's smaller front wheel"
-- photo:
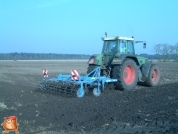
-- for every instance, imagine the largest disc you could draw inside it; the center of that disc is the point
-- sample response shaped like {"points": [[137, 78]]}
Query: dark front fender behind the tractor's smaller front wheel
{"points": [[145, 68]]}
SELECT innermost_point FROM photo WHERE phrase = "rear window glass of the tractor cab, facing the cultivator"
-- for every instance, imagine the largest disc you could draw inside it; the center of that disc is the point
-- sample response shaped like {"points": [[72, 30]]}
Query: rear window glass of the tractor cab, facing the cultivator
{"points": [[110, 46]]}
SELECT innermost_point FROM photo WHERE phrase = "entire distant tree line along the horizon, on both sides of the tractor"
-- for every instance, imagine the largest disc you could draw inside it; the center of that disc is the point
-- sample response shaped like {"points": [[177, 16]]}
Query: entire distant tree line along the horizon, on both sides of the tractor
{"points": [[163, 52]]}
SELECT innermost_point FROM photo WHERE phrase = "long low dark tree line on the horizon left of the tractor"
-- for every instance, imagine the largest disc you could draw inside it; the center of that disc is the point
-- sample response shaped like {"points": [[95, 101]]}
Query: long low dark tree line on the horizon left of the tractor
{"points": [[40, 56]]}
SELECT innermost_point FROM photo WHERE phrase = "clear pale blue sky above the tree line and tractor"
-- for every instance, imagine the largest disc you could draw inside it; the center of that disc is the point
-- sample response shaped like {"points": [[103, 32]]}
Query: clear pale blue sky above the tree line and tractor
{"points": [[76, 26]]}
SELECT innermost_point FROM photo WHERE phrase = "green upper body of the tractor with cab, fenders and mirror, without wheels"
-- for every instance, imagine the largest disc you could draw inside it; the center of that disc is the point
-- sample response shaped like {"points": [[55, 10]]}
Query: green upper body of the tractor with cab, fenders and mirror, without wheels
{"points": [[115, 50]]}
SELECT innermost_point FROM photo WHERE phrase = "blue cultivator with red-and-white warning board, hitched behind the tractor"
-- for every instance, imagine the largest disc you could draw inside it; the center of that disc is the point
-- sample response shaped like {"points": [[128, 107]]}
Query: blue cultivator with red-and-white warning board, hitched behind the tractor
{"points": [[75, 84]]}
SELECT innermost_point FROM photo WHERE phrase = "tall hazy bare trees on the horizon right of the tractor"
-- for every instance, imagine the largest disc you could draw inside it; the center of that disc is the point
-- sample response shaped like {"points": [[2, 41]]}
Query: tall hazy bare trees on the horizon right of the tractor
{"points": [[166, 52]]}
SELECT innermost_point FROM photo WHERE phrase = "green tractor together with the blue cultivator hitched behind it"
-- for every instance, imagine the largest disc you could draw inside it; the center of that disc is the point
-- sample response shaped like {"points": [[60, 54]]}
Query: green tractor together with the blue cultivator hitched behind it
{"points": [[117, 65]]}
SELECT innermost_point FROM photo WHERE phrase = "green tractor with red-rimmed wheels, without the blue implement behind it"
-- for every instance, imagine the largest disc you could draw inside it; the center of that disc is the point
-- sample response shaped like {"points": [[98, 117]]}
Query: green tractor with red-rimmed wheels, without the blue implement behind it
{"points": [[119, 61]]}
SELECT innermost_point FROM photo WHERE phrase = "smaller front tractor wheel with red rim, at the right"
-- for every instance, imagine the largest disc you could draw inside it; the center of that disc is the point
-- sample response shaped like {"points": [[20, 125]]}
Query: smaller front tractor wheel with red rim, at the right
{"points": [[153, 78]]}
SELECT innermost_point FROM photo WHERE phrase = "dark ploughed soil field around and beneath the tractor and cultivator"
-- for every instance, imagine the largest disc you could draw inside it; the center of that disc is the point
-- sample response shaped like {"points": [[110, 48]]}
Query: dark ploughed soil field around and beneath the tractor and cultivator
{"points": [[142, 110]]}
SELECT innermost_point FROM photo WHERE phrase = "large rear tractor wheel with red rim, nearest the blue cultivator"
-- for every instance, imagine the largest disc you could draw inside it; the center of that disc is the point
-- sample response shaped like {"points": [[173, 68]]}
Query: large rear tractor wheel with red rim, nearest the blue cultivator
{"points": [[126, 74]]}
